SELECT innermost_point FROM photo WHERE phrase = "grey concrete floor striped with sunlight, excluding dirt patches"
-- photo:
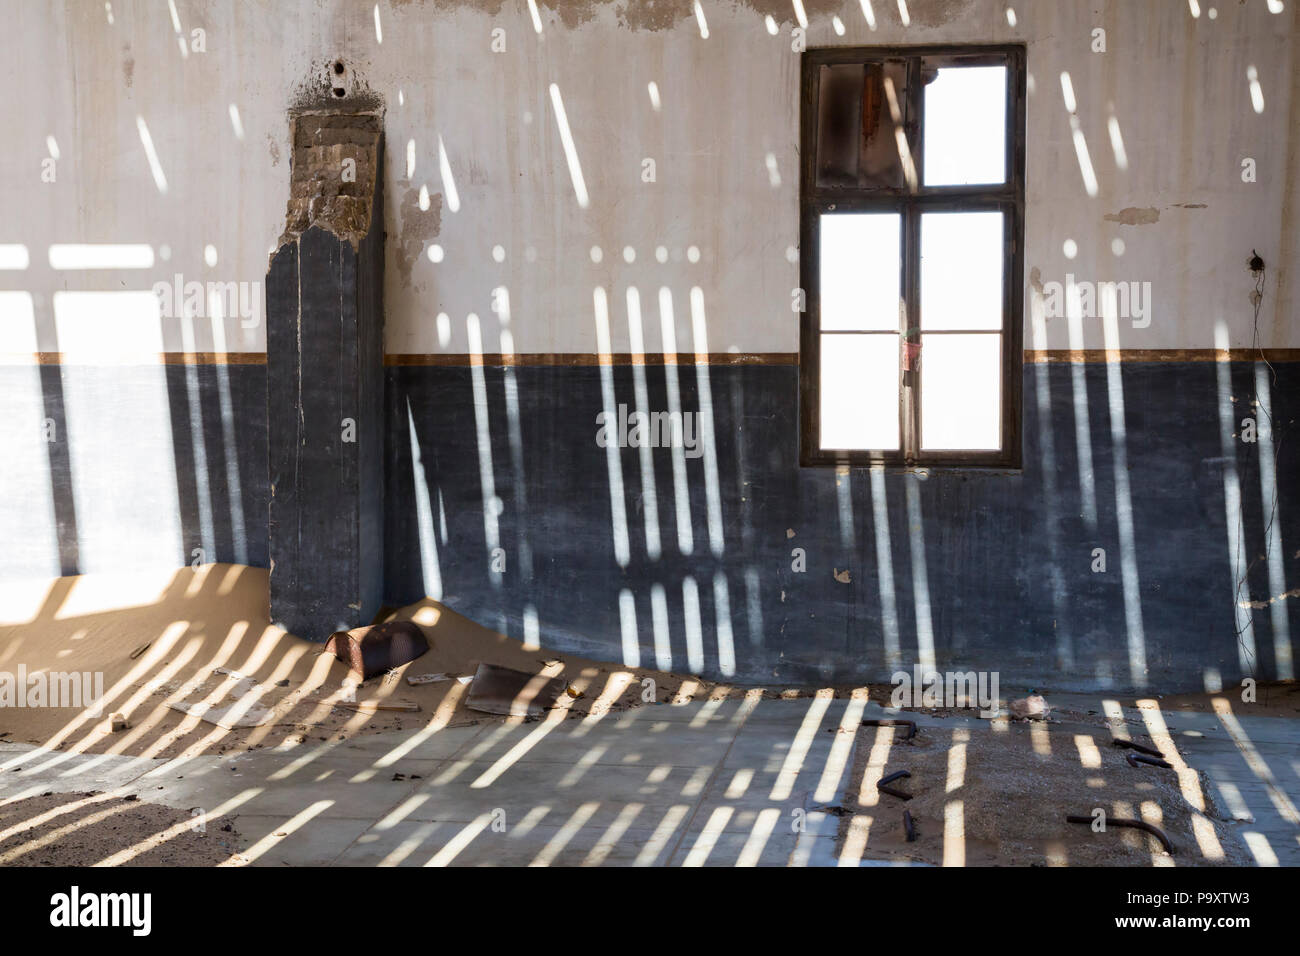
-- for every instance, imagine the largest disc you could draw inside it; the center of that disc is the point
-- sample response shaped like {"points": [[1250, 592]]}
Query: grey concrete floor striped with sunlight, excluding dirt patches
{"points": [[730, 784]]}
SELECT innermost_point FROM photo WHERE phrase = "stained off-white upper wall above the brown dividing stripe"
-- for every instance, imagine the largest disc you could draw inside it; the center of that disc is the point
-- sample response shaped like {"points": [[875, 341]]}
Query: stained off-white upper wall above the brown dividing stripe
{"points": [[725, 142]]}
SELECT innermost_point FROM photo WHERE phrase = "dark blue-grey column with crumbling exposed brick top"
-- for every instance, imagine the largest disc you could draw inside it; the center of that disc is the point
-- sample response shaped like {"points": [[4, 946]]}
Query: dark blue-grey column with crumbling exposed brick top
{"points": [[326, 380]]}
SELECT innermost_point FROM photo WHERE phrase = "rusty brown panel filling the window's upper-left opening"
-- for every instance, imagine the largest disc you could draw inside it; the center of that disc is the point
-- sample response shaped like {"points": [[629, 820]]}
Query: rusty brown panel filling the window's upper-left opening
{"points": [[860, 126]]}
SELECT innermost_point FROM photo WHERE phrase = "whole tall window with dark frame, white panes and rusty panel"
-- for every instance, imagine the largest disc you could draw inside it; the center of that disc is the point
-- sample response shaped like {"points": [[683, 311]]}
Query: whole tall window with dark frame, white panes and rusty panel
{"points": [[912, 219]]}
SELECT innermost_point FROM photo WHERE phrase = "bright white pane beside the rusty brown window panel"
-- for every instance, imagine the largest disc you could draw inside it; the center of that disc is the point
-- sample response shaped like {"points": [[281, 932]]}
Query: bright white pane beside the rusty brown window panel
{"points": [[965, 128]]}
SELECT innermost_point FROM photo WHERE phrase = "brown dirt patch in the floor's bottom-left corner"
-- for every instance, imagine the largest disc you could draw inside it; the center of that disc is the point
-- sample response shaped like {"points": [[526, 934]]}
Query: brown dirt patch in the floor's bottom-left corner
{"points": [[88, 829]]}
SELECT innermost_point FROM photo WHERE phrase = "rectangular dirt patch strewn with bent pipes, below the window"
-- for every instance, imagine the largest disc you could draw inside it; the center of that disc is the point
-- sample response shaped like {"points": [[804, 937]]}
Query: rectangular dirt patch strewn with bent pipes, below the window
{"points": [[999, 794]]}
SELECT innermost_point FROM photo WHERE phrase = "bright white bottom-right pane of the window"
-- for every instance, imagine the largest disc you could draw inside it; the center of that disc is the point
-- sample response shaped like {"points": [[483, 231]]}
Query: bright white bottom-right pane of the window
{"points": [[961, 392]]}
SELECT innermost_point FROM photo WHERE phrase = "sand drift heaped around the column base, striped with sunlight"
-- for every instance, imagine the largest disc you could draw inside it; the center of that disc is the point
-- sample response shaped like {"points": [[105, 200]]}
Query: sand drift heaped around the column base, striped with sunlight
{"points": [[175, 638]]}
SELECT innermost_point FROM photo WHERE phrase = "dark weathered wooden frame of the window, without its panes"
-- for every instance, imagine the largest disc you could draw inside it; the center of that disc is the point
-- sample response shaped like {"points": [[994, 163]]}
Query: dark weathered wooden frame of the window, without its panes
{"points": [[1007, 197]]}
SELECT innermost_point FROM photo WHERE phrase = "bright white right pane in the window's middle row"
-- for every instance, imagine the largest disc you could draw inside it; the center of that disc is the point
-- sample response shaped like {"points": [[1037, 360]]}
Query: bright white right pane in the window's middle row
{"points": [[961, 271]]}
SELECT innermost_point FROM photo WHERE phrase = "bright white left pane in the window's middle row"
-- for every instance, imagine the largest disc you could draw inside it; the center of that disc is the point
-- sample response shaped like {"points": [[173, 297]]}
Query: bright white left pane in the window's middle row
{"points": [[860, 271]]}
